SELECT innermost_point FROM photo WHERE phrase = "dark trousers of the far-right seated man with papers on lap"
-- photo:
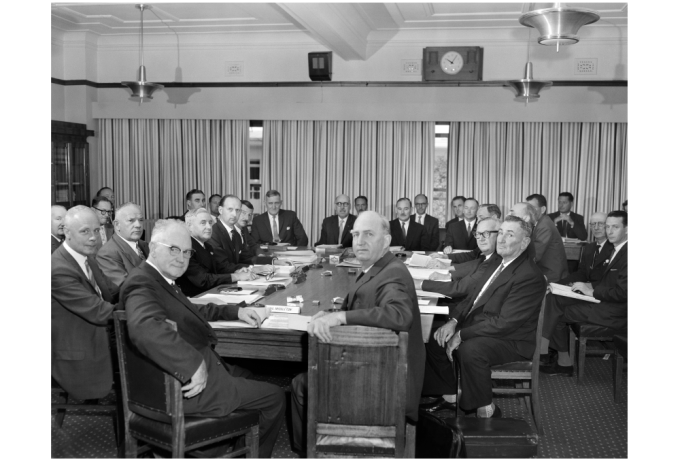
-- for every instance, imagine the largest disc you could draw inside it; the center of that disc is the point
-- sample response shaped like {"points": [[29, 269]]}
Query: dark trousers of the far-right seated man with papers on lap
{"points": [[559, 313]]}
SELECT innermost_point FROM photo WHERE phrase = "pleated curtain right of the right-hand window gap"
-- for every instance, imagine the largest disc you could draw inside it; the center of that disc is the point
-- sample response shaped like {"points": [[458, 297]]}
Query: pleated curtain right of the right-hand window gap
{"points": [[504, 162]]}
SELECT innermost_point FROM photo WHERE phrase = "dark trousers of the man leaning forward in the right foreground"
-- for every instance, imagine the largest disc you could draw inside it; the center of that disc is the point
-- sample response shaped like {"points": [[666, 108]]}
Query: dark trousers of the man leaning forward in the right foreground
{"points": [[476, 356]]}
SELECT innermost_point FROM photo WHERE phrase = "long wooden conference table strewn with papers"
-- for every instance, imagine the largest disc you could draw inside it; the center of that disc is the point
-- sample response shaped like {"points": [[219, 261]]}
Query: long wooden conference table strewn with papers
{"points": [[284, 344]]}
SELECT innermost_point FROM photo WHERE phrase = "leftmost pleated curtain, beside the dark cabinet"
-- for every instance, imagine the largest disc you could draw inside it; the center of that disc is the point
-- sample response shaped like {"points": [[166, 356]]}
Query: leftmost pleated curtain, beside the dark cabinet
{"points": [[155, 162]]}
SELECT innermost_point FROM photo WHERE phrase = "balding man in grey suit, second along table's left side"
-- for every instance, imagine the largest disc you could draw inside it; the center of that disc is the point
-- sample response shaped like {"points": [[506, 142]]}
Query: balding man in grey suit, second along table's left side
{"points": [[125, 250]]}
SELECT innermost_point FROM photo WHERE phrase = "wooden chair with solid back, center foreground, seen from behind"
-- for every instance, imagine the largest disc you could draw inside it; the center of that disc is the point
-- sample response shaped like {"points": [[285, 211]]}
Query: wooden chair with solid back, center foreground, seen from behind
{"points": [[357, 395]]}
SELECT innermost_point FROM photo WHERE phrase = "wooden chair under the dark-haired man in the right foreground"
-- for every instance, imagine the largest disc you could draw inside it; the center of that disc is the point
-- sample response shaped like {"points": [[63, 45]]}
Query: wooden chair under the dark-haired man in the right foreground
{"points": [[526, 374]]}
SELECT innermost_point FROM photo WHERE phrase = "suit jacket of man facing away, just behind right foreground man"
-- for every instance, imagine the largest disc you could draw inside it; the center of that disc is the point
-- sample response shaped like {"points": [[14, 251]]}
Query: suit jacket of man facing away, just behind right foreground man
{"points": [[548, 251]]}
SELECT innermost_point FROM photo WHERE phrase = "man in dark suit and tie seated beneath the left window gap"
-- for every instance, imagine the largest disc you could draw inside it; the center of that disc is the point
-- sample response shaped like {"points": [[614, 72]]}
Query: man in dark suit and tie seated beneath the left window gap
{"points": [[278, 225]]}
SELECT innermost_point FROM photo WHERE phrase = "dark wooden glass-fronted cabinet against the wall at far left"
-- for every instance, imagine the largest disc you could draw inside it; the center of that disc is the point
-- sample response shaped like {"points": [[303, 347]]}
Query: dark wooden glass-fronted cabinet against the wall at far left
{"points": [[70, 164]]}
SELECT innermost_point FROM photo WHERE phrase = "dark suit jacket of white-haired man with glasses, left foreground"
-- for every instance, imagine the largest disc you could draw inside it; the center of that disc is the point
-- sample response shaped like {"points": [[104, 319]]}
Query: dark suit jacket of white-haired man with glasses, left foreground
{"points": [[149, 300]]}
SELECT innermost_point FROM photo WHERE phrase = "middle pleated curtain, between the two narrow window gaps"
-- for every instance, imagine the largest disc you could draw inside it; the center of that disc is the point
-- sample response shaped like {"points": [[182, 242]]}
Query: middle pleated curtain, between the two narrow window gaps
{"points": [[311, 163]]}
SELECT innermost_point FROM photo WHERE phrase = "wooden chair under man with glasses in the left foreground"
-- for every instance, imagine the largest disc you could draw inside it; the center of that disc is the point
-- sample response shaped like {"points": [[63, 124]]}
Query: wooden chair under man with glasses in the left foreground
{"points": [[154, 413]]}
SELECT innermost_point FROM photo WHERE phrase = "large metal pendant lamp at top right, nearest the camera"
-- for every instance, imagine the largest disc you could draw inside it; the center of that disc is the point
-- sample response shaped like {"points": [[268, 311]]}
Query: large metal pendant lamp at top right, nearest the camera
{"points": [[557, 24]]}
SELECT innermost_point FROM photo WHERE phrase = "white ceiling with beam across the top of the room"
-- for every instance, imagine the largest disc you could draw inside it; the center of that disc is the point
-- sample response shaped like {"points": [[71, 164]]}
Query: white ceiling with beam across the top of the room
{"points": [[346, 28]]}
